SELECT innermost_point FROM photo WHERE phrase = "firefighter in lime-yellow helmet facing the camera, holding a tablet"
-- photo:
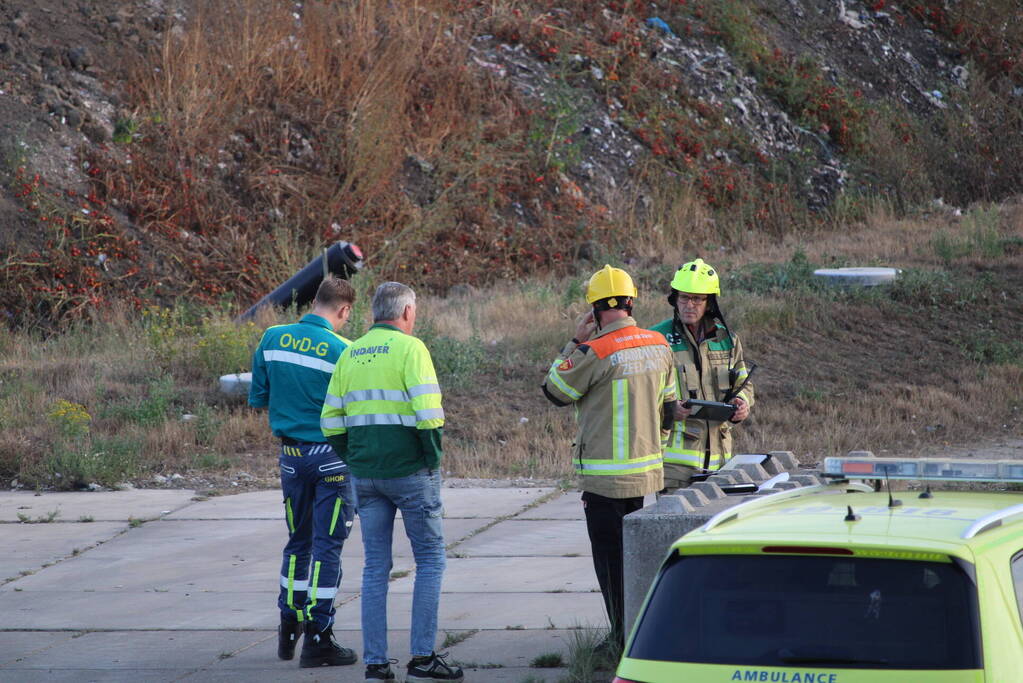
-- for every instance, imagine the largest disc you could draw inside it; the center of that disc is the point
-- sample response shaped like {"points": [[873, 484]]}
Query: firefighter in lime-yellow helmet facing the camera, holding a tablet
{"points": [[710, 368]]}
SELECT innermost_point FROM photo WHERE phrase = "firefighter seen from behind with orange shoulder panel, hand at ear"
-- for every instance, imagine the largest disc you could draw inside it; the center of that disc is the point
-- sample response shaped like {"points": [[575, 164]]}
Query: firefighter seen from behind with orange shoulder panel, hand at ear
{"points": [[621, 380]]}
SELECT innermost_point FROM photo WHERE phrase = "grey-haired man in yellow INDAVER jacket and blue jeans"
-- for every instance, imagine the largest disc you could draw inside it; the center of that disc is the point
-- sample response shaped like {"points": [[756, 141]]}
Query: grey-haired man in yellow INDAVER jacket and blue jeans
{"points": [[384, 418]]}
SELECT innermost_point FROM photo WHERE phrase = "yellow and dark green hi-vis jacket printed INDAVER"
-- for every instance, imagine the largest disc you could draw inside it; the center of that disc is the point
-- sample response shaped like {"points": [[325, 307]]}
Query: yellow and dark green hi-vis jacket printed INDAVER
{"points": [[383, 409]]}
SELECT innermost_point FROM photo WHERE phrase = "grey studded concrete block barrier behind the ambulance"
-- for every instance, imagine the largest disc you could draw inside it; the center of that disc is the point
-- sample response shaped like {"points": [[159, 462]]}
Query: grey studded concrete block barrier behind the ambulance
{"points": [[648, 534]]}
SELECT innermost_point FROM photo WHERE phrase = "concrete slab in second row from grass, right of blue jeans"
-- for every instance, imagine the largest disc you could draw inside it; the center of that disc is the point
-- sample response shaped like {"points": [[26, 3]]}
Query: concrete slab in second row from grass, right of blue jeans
{"points": [[556, 538]]}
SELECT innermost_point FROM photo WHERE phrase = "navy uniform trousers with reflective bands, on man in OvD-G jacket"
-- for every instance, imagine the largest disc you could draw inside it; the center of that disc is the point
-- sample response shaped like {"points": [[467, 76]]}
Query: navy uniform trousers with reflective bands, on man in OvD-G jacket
{"points": [[320, 509]]}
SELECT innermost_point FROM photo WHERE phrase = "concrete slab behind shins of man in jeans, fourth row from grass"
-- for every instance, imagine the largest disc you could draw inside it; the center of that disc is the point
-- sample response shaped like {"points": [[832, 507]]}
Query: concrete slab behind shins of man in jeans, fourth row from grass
{"points": [[462, 612]]}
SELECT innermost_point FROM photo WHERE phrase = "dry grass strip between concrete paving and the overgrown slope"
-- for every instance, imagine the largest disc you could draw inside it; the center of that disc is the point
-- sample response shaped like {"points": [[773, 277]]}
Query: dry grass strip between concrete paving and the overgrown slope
{"points": [[931, 363]]}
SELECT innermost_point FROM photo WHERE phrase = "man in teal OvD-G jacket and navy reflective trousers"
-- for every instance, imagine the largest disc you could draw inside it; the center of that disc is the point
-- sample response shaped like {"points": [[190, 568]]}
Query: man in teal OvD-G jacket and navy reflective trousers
{"points": [[291, 372]]}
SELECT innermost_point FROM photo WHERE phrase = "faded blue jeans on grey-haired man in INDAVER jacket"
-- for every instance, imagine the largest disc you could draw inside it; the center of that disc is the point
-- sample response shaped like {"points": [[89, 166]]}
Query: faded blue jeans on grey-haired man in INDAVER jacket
{"points": [[419, 498]]}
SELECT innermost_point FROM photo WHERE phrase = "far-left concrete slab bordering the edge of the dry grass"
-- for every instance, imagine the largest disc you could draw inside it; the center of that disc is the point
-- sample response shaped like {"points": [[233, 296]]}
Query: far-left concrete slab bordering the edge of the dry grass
{"points": [[101, 506]]}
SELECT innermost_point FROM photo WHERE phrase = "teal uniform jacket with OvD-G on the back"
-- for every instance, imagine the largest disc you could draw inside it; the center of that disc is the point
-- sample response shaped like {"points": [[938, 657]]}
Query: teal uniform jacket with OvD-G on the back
{"points": [[291, 370]]}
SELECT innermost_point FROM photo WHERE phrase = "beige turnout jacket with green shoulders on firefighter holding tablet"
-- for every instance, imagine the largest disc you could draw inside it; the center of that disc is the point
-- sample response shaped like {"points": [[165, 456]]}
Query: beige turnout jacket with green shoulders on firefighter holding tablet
{"points": [[706, 372]]}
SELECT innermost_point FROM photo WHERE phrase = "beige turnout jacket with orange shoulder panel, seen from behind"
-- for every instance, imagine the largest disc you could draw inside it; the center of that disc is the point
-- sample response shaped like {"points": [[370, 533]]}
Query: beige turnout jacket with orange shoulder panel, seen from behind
{"points": [[619, 382]]}
